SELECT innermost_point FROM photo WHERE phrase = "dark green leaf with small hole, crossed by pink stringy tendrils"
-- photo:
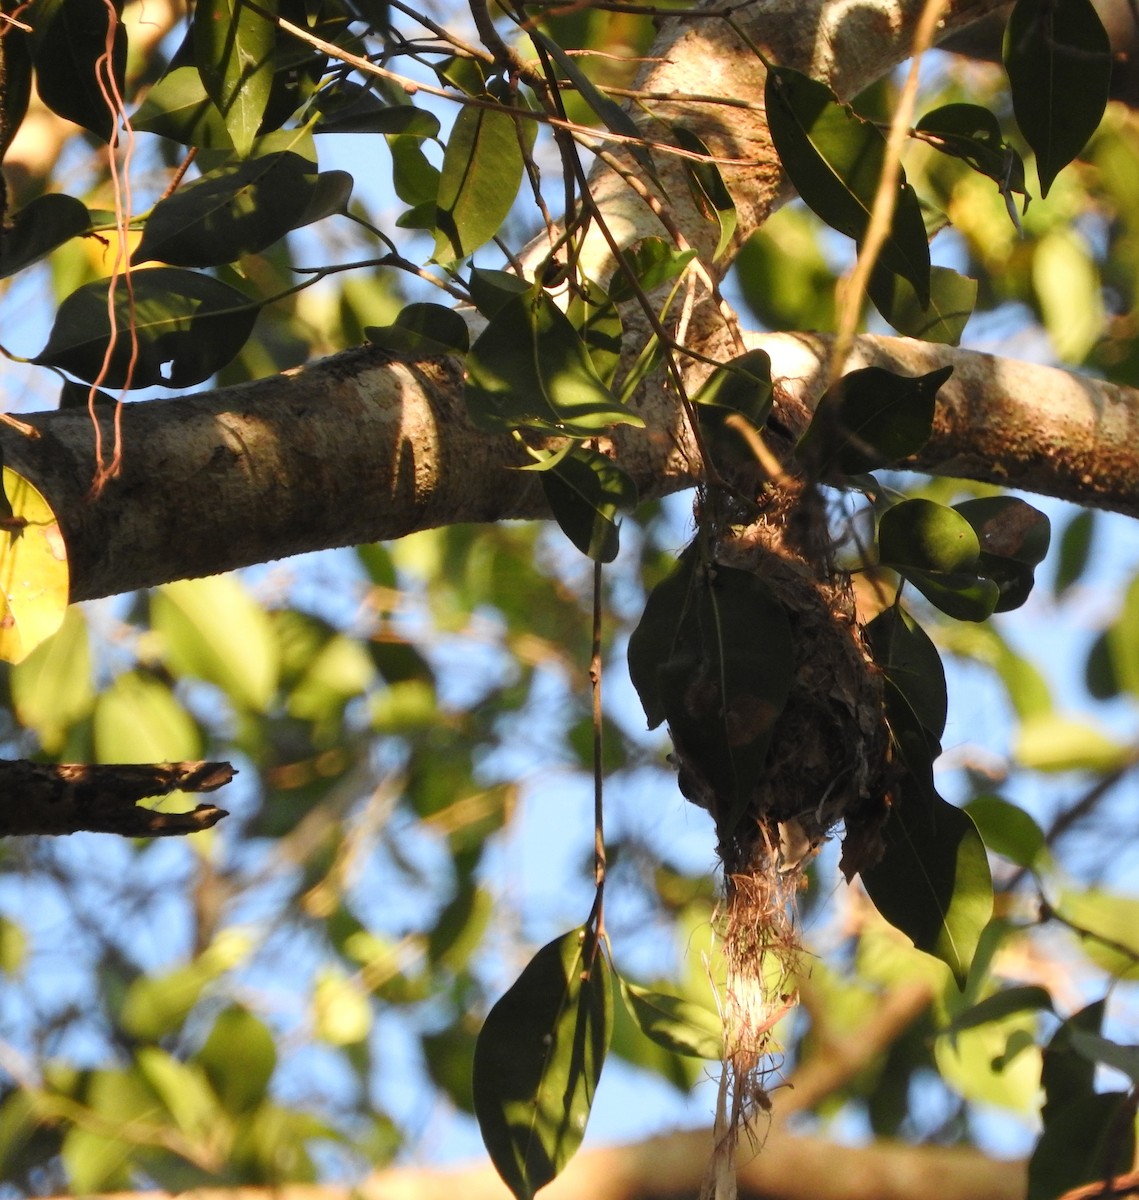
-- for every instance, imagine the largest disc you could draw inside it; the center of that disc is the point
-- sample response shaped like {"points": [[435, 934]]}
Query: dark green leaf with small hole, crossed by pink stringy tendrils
{"points": [[188, 326]]}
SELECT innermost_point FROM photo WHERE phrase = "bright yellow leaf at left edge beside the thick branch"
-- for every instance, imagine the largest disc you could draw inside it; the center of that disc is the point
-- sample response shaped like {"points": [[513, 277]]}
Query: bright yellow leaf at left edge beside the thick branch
{"points": [[34, 573]]}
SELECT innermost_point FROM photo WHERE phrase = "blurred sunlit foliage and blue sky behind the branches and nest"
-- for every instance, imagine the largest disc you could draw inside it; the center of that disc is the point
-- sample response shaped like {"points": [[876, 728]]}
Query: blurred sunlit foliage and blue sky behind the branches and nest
{"points": [[296, 994]]}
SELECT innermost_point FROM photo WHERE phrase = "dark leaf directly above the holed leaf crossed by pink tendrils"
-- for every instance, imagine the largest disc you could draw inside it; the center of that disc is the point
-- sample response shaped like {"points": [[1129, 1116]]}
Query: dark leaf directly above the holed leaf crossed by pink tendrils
{"points": [[238, 209]]}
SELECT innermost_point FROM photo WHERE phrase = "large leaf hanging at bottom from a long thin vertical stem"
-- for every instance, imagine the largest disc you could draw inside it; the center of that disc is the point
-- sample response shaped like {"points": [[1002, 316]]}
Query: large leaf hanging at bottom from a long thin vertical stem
{"points": [[538, 1061]]}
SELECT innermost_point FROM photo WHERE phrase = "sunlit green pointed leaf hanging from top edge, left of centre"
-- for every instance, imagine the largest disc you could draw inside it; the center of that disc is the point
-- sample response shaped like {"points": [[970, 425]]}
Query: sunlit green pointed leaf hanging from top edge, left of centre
{"points": [[235, 50]]}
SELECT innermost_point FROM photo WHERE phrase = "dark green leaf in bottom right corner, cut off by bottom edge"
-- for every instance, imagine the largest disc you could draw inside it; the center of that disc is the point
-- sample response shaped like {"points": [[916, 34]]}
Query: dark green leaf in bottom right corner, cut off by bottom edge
{"points": [[1086, 1142]]}
